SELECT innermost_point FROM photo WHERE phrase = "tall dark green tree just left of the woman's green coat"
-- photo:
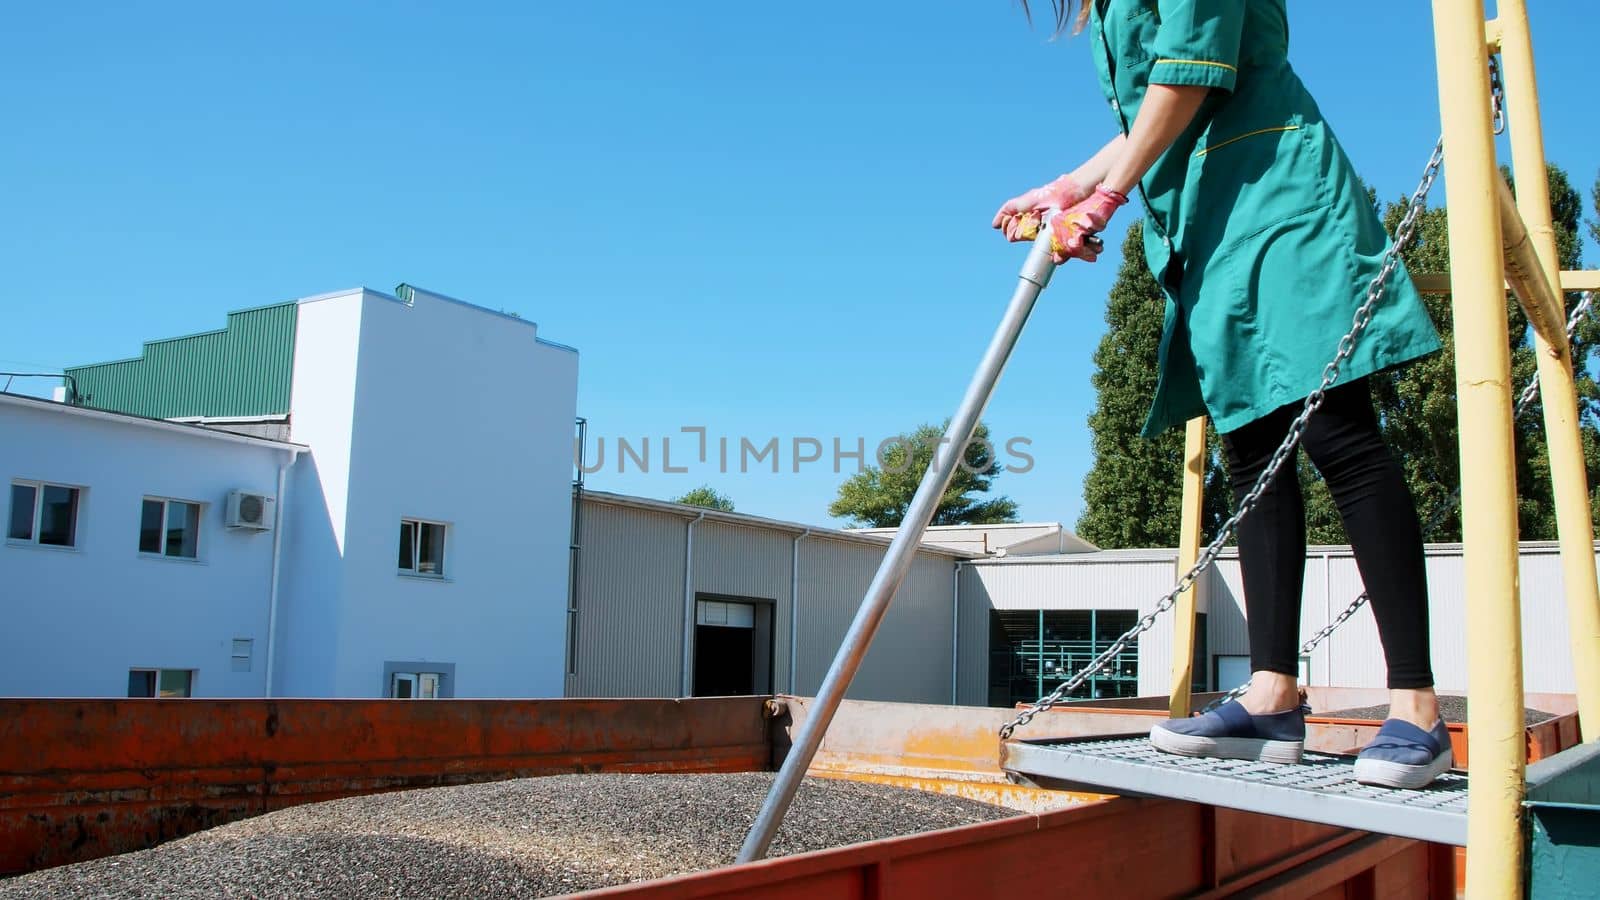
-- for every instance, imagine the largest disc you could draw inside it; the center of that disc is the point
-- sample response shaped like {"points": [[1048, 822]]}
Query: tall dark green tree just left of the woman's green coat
{"points": [[1134, 494]]}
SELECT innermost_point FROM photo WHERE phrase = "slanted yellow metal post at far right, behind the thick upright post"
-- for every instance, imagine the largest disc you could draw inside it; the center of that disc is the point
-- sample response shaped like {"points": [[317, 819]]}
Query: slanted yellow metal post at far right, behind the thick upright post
{"points": [[1556, 372]]}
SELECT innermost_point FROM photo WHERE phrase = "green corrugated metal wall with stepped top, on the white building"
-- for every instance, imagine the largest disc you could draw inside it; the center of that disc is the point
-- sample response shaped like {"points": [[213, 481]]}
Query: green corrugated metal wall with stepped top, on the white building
{"points": [[241, 371]]}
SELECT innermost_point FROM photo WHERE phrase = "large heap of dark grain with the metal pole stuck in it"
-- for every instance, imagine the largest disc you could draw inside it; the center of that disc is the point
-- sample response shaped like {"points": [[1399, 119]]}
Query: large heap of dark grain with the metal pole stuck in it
{"points": [[526, 838]]}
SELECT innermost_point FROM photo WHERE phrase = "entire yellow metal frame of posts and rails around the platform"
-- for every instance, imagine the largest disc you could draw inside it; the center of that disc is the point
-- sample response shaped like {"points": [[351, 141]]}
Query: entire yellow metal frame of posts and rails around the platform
{"points": [[1490, 238]]}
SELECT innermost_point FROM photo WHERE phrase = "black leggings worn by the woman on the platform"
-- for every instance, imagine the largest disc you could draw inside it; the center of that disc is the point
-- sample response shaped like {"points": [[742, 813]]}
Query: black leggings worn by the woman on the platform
{"points": [[1378, 515]]}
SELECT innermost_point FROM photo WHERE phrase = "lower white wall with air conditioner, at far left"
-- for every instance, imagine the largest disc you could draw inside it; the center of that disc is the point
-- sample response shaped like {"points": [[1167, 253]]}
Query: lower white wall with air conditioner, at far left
{"points": [[78, 621]]}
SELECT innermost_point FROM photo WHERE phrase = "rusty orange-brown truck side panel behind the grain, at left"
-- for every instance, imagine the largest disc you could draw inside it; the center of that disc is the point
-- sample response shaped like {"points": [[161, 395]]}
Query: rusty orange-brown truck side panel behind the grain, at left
{"points": [[82, 779]]}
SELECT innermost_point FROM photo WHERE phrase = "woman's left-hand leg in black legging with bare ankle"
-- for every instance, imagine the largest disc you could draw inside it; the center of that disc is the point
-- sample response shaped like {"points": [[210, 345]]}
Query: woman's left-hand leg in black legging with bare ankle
{"points": [[1271, 561]]}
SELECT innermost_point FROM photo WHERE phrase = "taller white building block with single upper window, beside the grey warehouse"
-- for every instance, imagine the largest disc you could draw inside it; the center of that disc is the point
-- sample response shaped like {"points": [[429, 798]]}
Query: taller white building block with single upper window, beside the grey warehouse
{"points": [[458, 416]]}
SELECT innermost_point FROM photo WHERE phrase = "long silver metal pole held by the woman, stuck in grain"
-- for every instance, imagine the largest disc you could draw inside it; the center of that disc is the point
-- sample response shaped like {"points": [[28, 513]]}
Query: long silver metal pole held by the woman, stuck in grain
{"points": [[1033, 279]]}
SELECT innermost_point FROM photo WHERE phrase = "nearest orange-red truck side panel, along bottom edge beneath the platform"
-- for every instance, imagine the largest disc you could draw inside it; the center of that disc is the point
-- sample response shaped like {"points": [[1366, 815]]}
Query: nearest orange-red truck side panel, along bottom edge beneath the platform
{"points": [[1114, 848]]}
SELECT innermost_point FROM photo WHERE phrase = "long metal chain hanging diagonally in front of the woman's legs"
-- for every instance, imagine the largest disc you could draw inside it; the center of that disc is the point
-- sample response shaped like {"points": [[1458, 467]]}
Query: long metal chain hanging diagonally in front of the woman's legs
{"points": [[1330, 374]]}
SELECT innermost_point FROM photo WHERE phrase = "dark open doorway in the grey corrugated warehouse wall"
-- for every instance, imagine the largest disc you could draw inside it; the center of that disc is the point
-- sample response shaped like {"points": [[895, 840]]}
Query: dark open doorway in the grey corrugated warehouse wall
{"points": [[734, 646]]}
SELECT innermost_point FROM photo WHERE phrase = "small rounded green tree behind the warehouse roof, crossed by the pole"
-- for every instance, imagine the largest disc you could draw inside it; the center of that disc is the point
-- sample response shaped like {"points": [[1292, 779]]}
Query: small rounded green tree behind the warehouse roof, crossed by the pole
{"points": [[879, 496]]}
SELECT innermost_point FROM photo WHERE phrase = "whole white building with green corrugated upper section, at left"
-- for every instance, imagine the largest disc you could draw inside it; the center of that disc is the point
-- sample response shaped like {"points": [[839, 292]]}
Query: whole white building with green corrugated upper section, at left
{"points": [[423, 542]]}
